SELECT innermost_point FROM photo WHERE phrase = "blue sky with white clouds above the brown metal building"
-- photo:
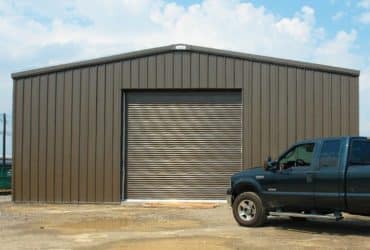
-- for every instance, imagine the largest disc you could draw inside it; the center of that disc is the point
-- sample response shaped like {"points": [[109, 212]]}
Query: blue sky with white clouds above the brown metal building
{"points": [[40, 33]]}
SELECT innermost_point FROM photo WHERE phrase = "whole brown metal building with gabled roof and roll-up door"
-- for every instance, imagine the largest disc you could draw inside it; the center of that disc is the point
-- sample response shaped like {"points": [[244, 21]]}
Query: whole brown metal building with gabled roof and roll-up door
{"points": [[169, 122]]}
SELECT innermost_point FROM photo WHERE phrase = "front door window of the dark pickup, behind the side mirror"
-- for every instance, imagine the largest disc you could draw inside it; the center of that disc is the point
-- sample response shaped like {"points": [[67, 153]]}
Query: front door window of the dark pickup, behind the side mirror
{"points": [[299, 156]]}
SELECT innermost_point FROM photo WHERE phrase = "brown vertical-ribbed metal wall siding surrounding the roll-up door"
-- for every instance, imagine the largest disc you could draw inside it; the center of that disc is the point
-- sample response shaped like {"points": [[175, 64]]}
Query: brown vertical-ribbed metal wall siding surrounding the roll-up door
{"points": [[68, 123]]}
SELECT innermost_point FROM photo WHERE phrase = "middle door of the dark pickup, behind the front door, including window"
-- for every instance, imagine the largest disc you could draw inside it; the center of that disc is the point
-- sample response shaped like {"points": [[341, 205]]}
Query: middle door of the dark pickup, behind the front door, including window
{"points": [[329, 175]]}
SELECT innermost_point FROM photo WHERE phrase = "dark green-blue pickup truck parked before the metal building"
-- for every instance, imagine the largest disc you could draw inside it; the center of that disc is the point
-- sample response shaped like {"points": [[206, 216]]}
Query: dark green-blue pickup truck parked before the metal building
{"points": [[318, 178]]}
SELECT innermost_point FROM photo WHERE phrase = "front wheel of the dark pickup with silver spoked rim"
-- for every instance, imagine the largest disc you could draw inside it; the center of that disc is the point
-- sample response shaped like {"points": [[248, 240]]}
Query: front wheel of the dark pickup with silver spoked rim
{"points": [[248, 210]]}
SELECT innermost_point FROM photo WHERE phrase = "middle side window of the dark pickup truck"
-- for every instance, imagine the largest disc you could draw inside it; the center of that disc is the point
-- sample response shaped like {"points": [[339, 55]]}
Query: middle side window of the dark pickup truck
{"points": [[329, 156]]}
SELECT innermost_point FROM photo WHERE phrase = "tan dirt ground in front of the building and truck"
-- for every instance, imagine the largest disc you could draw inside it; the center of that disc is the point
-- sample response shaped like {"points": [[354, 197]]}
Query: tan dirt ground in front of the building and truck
{"points": [[165, 226]]}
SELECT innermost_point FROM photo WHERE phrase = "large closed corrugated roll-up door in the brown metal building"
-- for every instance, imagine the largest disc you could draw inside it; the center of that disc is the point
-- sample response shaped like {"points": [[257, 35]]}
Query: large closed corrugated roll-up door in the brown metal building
{"points": [[182, 145]]}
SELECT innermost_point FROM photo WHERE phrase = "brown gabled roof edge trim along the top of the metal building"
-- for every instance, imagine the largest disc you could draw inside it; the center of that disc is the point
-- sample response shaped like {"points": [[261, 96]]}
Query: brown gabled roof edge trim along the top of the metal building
{"points": [[186, 47]]}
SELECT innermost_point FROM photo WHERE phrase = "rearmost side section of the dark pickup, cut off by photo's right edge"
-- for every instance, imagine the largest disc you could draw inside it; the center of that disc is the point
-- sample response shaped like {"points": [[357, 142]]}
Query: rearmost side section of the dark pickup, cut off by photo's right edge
{"points": [[358, 177]]}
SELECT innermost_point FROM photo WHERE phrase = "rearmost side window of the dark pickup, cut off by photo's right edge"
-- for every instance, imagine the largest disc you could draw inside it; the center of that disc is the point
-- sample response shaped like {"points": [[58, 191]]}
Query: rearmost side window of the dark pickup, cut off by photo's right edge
{"points": [[360, 153]]}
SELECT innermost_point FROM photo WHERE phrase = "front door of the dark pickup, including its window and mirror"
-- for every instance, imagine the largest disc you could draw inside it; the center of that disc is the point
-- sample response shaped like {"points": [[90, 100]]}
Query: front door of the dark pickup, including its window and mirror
{"points": [[294, 186]]}
